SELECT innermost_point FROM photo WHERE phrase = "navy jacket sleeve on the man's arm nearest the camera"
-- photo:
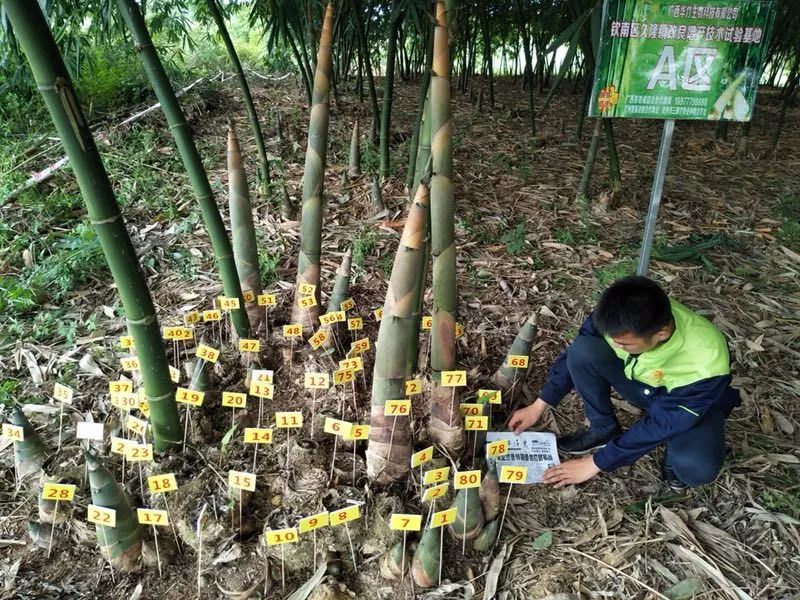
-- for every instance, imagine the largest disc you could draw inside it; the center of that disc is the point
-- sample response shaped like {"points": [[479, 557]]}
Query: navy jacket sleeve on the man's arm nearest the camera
{"points": [[671, 414]]}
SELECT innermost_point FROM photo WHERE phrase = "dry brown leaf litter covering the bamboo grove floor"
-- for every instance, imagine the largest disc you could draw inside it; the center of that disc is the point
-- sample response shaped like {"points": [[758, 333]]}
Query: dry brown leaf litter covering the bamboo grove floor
{"points": [[728, 244]]}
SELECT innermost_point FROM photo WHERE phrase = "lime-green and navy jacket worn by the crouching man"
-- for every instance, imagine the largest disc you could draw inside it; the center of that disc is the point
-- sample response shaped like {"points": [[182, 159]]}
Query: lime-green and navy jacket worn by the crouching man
{"points": [[686, 376]]}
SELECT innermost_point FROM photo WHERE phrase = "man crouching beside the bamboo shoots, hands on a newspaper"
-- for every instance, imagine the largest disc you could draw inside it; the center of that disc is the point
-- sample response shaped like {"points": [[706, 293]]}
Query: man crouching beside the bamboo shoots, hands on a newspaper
{"points": [[659, 356]]}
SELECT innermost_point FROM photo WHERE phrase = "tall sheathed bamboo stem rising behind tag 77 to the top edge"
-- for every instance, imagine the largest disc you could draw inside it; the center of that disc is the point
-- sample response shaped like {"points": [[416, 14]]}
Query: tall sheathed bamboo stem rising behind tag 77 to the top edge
{"points": [[446, 424]]}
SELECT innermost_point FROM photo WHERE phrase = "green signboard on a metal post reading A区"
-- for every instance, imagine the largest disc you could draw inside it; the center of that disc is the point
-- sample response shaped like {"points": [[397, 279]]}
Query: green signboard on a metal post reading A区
{"points": [[681, 59]]}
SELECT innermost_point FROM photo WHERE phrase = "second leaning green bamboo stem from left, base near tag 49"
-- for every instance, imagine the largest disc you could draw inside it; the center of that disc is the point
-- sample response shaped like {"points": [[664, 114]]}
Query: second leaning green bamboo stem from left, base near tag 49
{"points": [[192, 161]]}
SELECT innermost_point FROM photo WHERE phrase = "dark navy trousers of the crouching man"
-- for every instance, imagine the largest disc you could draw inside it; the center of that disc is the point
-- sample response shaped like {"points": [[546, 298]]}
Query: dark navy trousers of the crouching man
{"points": [[695, 456]]}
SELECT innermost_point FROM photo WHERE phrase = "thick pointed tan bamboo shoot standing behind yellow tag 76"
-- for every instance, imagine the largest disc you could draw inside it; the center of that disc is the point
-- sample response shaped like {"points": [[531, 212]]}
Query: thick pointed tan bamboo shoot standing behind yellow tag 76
{"points": [[390, 439]]}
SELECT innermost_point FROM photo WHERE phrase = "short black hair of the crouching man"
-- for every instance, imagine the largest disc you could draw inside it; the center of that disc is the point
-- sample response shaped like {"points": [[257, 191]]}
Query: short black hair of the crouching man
{"points": [[632, 305]]}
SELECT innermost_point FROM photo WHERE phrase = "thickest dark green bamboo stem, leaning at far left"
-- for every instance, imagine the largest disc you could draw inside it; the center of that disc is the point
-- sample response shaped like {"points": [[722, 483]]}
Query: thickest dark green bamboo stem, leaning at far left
{"points": [[56, 88]]}
